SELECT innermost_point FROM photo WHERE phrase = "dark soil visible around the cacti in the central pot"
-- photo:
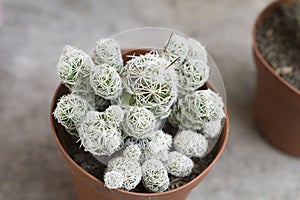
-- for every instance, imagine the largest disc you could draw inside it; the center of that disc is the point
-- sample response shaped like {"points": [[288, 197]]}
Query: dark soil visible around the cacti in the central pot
{"points": [[96, 168]]}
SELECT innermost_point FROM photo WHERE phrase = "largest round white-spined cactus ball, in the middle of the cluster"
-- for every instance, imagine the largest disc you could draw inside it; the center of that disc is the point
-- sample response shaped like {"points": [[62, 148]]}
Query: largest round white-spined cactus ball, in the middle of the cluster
{"points": [[150, 82]]}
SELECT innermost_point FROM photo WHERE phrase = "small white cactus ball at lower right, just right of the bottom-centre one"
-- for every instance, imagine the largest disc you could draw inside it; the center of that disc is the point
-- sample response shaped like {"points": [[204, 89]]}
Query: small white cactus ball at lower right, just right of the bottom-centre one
{"points": [[179, 164]]}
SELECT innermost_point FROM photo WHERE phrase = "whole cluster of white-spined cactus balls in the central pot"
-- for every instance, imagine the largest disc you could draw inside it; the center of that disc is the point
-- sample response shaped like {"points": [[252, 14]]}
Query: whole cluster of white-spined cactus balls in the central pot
{"points": [[117, 109]]}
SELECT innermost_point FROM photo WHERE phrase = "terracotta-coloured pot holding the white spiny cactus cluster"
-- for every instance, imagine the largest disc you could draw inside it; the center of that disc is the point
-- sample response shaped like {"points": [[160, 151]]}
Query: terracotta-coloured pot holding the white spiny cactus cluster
{"points": [[90, 188]]}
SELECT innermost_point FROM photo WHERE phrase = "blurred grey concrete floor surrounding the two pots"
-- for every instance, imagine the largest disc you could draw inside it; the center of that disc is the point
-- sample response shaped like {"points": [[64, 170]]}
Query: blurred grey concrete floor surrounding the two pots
{"points": [[31, 40]]}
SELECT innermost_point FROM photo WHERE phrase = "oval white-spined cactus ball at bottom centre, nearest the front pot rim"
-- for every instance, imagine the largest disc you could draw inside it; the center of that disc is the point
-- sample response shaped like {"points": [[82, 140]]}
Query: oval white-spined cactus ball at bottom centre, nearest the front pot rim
{"points": [[155, 176]]}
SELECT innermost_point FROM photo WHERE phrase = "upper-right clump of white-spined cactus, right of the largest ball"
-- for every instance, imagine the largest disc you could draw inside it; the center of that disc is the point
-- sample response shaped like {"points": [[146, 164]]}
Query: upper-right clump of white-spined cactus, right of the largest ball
{"points": [[190, 59]]}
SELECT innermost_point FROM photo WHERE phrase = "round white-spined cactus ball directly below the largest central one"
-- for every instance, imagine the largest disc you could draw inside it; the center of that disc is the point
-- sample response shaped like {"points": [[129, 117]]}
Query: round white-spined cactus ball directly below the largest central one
{"points": [[138, 122]]}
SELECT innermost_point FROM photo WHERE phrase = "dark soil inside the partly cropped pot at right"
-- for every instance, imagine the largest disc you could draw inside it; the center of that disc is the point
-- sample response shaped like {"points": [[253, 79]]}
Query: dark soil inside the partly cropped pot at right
{"points": [[278, 40]]}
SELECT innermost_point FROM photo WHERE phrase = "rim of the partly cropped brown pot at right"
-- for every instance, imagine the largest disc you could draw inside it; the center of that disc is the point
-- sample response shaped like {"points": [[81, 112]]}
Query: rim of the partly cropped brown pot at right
{"points": [[256, 51]]}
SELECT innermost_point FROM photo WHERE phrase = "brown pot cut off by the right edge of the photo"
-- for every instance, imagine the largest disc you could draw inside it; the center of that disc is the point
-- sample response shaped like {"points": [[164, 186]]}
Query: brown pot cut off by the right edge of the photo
{"points": [[277, 103]]}
